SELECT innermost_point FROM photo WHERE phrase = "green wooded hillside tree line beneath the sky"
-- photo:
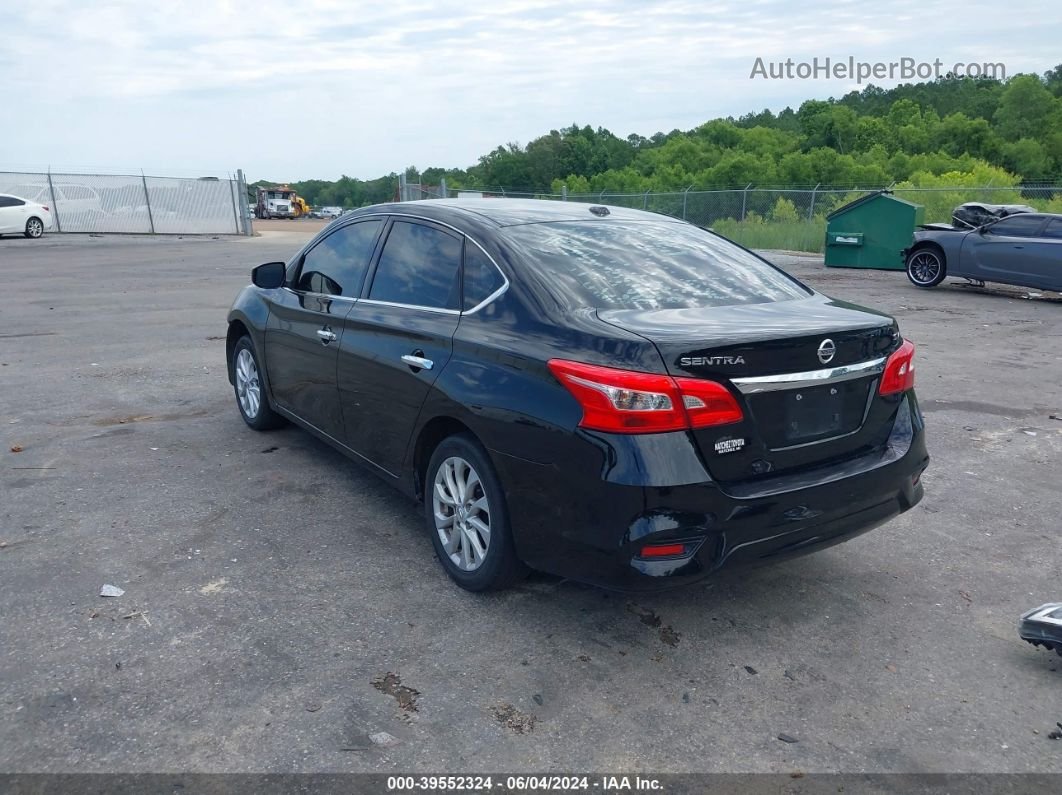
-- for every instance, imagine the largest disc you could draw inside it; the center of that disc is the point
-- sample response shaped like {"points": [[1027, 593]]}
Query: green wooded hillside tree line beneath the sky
{"points": [[1005, 132]]}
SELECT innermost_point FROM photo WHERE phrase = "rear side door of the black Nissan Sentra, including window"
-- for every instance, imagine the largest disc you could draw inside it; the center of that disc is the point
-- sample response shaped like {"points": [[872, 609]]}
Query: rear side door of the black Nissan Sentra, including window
{"points": [[399, 339]]}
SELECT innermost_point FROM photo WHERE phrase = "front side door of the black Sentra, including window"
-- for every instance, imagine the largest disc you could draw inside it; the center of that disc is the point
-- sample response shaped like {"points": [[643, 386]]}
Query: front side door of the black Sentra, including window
{"points": [[305, 325]]}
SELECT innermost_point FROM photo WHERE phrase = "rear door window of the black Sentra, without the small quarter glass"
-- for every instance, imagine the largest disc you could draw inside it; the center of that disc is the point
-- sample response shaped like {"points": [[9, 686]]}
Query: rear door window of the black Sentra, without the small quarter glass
{"points": [[420, 266]]}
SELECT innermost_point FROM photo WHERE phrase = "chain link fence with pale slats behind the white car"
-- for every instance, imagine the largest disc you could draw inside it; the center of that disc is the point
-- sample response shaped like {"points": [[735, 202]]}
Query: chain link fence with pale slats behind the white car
{"points": [[132, 204]]}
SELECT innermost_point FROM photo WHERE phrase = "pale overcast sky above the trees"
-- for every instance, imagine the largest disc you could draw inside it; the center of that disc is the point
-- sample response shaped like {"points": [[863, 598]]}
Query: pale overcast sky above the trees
{"points": [[318, 89]]}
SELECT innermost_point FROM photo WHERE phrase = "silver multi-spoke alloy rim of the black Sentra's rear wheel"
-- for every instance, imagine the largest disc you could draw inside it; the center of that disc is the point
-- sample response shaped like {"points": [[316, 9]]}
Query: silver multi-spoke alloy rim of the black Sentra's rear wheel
{"points": [[463, 513]]}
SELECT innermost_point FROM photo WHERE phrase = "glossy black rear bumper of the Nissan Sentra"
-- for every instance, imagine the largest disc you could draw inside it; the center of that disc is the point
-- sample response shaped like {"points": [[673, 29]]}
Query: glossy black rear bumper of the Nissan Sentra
{"points": [[595, 530]]}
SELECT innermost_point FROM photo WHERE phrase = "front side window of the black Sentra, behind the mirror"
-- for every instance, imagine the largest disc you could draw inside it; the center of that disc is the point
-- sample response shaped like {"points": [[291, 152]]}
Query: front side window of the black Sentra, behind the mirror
{"points": [[337, 265]]}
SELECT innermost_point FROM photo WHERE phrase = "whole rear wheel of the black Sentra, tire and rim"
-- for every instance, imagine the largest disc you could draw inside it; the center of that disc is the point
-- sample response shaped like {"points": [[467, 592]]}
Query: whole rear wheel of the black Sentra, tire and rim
{"points": [[468, 519]]}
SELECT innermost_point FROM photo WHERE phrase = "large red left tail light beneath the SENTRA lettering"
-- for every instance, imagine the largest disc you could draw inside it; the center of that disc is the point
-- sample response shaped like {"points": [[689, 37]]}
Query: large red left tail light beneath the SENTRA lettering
{"points": [[627, 402]]}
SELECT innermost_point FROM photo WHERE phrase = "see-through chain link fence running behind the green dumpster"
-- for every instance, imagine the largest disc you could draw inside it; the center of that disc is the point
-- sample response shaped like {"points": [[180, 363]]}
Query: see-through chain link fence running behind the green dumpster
{"points": [[791, 219]]}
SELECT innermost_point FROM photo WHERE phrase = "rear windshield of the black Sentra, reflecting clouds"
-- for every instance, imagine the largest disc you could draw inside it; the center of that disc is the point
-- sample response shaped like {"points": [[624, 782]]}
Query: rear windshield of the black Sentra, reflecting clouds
{"points": [[615, 265]]}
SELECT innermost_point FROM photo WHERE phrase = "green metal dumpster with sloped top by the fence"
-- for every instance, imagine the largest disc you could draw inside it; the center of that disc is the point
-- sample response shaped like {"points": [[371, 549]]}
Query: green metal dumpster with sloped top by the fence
{"points": [[871, 232]]}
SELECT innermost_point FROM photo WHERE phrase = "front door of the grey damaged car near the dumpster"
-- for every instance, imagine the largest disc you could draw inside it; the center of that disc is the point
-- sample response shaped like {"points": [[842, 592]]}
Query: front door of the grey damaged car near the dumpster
{"points": [[1004, 251]]}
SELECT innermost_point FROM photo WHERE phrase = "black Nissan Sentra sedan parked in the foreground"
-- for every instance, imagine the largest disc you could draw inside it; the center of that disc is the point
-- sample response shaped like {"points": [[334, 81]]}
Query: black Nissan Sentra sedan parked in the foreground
{"points": [[609, 395]]}
